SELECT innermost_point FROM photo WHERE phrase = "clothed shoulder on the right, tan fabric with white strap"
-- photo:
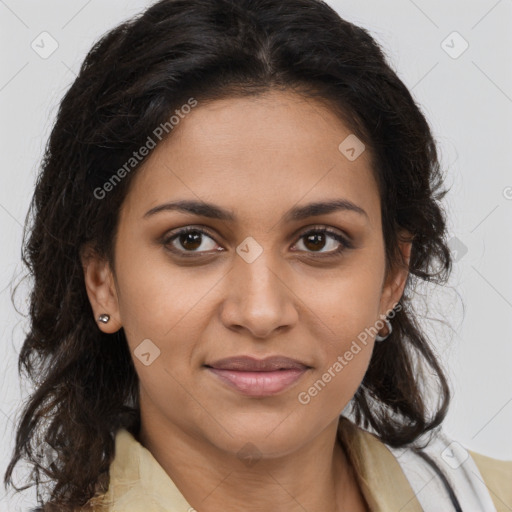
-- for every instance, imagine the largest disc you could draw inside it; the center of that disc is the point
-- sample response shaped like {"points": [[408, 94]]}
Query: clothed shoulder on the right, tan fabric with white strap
{"points": [[439, 472]]}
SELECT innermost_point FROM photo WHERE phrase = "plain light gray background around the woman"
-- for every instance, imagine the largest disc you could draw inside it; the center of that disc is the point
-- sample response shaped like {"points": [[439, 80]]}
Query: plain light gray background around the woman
{"points": [[467, 99]]}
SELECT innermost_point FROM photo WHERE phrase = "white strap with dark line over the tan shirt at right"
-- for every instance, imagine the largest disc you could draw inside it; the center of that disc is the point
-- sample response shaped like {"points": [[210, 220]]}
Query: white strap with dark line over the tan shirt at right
{"points": [[459, 469]]}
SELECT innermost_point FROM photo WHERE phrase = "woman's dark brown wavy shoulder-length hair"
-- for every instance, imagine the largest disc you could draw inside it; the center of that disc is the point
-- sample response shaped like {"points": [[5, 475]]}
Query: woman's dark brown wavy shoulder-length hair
{"points": [[133, 78]]}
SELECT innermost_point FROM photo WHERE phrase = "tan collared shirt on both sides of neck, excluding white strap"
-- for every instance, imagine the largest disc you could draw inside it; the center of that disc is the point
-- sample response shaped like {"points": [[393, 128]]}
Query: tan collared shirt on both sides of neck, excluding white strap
{"points": [[139, 484]]}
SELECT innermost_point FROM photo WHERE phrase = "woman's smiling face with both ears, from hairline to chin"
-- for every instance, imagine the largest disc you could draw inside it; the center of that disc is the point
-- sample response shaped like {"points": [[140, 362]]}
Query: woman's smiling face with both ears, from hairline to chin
{"points": [[253, 278]]}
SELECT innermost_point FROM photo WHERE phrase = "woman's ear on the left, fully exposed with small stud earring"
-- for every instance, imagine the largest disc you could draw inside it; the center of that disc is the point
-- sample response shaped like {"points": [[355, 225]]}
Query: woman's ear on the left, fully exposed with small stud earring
{"points": [[101, 290]]}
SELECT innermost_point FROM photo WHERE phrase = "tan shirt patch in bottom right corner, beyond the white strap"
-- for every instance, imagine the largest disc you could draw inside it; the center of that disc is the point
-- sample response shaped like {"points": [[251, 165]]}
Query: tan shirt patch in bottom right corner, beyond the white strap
{"points": [[497, 475]]}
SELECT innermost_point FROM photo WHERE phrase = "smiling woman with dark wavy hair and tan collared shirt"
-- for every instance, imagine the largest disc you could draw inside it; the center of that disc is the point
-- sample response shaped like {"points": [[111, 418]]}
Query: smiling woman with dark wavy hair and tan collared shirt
{"points": [[236, 203]]}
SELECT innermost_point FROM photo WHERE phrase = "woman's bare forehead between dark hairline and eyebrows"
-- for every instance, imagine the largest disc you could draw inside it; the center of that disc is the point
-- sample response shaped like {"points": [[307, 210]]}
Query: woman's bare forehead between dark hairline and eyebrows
{"points": [[257, 153]]}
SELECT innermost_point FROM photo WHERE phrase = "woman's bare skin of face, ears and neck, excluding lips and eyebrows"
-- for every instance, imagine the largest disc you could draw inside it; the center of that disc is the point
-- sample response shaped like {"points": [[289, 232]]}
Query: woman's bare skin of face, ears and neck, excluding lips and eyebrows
{"points": [[257, 157]]}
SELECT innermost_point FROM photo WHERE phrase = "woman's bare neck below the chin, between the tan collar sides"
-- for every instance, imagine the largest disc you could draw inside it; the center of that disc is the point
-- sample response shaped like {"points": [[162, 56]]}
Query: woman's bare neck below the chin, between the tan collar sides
{"points": [[317, 476]]}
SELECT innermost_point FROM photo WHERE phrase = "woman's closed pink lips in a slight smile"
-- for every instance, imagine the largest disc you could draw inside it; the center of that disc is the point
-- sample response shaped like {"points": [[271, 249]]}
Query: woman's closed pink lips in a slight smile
{"points": [[258, 377]]}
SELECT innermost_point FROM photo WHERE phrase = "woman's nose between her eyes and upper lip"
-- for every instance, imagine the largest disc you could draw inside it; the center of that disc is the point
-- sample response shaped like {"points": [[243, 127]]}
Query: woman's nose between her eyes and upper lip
{"points": [[259, 298]]}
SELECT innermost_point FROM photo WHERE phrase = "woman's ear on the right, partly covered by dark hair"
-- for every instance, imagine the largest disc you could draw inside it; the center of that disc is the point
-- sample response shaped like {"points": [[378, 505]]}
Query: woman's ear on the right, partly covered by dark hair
{"points": [[396, 277]]}
